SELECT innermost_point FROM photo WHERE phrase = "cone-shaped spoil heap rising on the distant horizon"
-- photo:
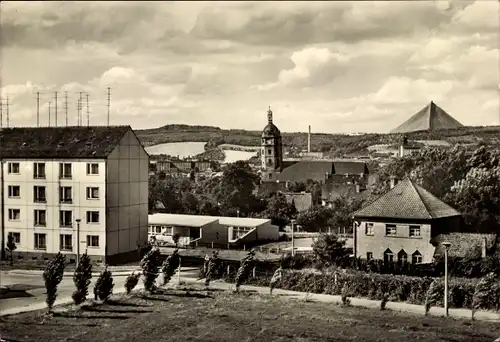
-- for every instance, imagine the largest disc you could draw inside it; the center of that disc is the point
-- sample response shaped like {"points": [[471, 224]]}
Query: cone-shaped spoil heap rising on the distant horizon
{"points": [[431, 117]]}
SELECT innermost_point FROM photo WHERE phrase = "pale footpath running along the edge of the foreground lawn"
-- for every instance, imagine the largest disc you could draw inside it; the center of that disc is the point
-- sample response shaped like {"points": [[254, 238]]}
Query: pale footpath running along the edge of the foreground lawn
{"points": [[287, 294]]}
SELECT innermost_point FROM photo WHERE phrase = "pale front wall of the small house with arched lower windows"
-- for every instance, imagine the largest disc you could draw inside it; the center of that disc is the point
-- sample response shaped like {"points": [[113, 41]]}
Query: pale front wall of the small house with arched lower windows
{"points": [[379, 242]]}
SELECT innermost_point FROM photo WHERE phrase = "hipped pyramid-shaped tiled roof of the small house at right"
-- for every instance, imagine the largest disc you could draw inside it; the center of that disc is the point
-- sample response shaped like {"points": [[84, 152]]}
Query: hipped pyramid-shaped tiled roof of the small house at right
{"points": [[407, 201]]}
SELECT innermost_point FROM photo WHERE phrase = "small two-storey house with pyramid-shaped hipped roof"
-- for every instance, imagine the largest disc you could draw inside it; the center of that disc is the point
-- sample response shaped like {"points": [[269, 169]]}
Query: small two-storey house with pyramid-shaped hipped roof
{"points": [[404, 225]]}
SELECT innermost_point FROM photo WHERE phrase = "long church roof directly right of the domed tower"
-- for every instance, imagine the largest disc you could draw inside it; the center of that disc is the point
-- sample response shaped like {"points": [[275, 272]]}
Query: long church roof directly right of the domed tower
{"points": [[304, 170]]}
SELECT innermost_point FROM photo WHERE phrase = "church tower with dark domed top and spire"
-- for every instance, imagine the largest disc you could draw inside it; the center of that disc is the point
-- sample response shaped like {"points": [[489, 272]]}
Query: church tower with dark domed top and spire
{"points": [[271, 150]]}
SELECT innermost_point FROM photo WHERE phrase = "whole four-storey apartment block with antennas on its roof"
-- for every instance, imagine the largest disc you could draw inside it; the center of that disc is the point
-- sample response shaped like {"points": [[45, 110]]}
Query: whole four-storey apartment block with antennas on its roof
{"points": [[62, 182]]}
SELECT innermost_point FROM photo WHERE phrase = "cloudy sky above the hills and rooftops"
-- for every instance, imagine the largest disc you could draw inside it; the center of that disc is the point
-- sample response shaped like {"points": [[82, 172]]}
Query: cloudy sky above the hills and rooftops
{"points": [[338, 66]]}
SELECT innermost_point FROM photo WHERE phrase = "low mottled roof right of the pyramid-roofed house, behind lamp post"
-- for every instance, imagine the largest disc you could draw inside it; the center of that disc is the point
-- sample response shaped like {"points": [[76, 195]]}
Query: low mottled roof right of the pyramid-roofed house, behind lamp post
{"points": [[462, 243]]}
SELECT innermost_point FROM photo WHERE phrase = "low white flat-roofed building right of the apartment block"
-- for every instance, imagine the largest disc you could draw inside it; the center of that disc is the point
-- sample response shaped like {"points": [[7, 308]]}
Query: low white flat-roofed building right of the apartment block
{"points": [[218, 231]]}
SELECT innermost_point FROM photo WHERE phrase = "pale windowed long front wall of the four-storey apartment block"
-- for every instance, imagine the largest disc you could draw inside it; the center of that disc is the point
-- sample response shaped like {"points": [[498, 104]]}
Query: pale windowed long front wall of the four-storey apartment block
{"points": [[79, 206]]}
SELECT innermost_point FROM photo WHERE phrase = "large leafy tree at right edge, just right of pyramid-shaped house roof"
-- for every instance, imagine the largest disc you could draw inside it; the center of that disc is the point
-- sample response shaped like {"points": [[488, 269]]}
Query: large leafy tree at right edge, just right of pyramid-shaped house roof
{"points": [[477, 197]]}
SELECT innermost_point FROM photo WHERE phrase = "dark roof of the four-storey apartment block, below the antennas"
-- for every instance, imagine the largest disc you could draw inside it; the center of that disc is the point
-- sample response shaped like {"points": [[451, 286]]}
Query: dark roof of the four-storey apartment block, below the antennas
{"points": [[60, 142]]}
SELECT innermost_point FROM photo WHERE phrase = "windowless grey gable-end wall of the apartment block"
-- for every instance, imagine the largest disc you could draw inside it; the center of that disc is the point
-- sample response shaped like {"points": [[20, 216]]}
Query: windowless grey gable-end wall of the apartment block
{"points": [[127, 196]]}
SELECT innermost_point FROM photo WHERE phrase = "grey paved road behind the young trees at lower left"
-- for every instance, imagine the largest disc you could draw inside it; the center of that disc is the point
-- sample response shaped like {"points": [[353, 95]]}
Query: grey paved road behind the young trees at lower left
{"points": [[35, 287]]}
